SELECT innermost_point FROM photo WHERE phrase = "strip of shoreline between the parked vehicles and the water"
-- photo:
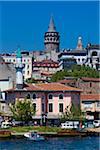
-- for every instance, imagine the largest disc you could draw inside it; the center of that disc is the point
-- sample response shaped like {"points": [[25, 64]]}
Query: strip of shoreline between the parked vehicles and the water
{"points": [[6, 134]]}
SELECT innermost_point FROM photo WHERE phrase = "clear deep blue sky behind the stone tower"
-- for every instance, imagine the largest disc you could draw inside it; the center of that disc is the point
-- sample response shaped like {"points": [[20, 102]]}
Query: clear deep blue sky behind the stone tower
{"points": [[24, 23]]}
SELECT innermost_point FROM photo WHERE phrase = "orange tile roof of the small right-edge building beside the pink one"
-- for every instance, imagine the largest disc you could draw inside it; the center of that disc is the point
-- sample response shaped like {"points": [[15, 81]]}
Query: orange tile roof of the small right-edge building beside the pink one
{"points": [[90, 97]]}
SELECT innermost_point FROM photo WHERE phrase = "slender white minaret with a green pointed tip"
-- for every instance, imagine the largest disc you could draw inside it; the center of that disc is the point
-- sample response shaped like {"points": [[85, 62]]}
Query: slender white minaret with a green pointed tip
{"points": [[19, 67]]}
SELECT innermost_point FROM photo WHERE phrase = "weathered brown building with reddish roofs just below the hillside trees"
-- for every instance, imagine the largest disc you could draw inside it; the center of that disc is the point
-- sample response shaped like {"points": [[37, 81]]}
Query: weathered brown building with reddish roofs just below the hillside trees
{"points": [[88, 85]]}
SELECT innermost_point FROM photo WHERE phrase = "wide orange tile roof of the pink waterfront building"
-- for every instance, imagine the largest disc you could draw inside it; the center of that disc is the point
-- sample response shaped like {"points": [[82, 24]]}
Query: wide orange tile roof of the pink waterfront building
{"points": [[46, 87]]}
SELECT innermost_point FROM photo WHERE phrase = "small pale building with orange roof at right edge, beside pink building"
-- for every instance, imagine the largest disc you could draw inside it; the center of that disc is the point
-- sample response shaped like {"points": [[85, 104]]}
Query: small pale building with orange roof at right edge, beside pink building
{"points": [[90, 105]]}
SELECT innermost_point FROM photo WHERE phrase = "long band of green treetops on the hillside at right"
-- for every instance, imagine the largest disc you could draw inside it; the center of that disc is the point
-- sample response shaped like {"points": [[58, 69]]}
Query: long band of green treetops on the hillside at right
{"points": [[76, 71]]}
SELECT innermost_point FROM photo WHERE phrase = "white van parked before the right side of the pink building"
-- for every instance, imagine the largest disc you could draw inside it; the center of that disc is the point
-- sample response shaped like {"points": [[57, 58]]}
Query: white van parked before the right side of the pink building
{"points": [[70, 125]]}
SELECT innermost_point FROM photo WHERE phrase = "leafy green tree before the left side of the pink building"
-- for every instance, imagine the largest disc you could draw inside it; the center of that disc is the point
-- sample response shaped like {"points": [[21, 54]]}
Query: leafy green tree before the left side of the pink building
{"points": [[22, 110]]}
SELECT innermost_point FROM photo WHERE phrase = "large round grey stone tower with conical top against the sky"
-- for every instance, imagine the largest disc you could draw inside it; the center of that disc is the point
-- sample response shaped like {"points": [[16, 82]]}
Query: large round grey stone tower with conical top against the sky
{"points": [[51, 37]]}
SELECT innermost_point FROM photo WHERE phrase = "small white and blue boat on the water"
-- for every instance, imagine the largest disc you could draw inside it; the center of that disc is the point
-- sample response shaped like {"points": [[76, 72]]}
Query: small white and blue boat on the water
{"points": [[34, 136]]}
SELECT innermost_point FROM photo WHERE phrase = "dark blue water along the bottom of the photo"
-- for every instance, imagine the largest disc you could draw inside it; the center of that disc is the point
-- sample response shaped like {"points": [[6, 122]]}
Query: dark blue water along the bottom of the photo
{"points": [[68, 143]]}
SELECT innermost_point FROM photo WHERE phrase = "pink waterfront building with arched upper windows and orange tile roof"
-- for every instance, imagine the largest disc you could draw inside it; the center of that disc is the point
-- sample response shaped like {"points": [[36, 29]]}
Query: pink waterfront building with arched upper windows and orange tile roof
{"points": [[49, 99]]}
